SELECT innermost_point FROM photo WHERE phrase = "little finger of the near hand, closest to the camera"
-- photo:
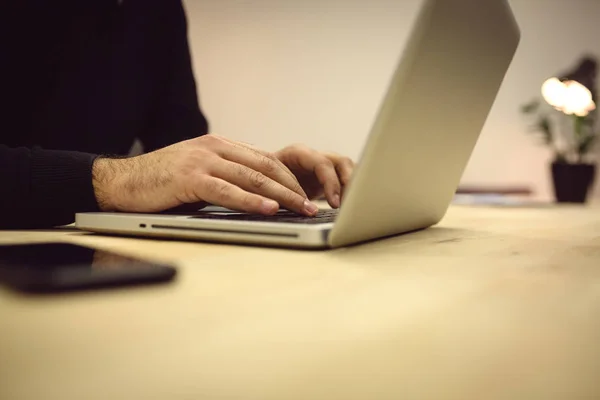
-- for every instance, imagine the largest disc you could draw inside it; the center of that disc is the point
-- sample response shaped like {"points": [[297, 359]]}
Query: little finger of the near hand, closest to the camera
{"points": [[220, 192]]}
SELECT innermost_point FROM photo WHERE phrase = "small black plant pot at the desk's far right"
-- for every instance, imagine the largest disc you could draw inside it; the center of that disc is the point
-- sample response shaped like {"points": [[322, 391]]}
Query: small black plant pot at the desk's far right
{"points": [[572, 182]]}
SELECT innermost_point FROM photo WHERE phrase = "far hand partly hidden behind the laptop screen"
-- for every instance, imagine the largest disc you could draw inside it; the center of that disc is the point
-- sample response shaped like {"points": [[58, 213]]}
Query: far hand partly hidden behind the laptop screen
{"points": [[318, 173]]}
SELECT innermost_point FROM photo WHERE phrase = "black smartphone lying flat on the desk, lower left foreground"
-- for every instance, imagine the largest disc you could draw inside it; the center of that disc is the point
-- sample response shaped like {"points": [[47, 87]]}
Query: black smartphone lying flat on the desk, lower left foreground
{"points": [[55, 267]]}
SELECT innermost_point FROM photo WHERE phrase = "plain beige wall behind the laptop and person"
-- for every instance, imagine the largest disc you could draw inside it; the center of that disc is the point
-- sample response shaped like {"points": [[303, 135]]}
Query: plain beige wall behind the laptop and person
{"points": [[273, 72]]}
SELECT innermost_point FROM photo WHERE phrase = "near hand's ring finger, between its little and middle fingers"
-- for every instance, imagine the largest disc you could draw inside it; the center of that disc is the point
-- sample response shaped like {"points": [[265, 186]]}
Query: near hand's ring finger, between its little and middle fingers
{"points": [[256, 182]]}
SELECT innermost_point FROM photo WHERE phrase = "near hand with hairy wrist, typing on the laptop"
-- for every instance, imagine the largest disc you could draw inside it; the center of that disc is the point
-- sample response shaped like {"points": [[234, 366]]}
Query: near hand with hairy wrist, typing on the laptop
{"points": [[208, 169]]}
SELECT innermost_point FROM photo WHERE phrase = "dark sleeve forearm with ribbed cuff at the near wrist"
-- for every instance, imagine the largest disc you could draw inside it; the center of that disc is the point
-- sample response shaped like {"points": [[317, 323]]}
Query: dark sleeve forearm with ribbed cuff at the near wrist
{"points": [[44, 188]]}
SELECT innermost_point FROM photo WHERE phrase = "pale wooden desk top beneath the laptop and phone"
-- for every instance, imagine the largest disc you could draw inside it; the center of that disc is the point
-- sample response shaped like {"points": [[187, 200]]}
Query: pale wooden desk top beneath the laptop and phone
{"points": [[492, 304]]}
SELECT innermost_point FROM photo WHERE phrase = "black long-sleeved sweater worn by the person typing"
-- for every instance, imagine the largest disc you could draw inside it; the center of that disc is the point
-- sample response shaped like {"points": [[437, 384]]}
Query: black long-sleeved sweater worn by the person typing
{"points": [[80, 78]]}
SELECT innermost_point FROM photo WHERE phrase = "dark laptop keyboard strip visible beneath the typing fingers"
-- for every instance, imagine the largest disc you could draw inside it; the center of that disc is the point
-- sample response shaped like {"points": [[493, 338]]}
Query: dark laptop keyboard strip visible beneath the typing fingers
{"points": [[324, 216]]}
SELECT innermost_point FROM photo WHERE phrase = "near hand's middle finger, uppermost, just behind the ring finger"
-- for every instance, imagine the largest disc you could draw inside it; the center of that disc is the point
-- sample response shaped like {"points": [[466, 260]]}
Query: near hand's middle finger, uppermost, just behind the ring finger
{"points": [[261, 163]]}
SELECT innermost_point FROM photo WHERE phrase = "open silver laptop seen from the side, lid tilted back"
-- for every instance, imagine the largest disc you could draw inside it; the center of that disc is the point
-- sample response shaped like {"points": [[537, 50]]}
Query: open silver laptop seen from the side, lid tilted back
{"points": [[427, 125]]}
